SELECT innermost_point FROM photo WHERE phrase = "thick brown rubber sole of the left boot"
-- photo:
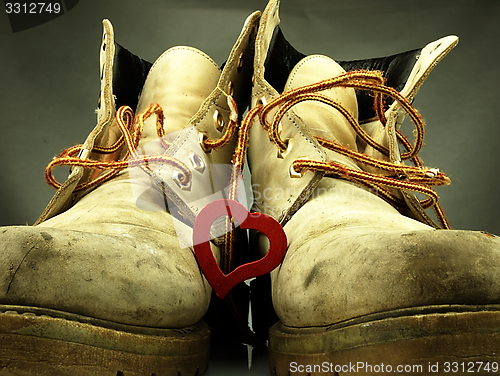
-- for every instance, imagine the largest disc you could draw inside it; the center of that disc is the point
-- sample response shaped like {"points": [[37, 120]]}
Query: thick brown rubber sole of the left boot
{"points": [[36, 341]]}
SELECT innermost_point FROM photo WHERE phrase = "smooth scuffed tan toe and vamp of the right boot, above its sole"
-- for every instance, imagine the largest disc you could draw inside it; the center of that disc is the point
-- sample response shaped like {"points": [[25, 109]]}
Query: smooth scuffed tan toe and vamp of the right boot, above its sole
{"points": [[351, 254]]}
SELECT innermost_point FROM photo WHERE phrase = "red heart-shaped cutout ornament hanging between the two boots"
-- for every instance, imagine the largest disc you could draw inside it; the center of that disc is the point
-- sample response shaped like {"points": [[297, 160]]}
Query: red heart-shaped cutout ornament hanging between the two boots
{"points": [[220, 282]]}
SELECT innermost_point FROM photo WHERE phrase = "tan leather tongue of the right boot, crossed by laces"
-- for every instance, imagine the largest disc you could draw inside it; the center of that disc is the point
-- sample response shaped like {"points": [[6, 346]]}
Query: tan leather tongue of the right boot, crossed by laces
{"points": [[322, 120]]}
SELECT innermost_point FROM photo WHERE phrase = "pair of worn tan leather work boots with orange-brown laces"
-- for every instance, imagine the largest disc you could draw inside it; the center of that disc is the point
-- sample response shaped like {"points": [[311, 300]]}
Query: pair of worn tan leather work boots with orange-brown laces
{"points": [[107, 283]]}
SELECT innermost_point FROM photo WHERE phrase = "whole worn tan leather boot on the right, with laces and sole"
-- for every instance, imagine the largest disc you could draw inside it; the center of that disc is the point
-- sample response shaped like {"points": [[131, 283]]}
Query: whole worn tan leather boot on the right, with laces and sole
{"points": [[368, 284]]}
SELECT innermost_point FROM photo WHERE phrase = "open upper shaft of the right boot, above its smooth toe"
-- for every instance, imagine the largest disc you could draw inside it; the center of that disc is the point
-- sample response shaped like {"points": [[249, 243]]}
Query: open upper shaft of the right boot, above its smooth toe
{"points": [[279, 189]]}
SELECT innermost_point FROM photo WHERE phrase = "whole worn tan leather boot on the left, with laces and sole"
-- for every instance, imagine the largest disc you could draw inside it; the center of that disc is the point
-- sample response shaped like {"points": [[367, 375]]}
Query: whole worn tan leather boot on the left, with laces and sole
{"points": [[106, 282]]}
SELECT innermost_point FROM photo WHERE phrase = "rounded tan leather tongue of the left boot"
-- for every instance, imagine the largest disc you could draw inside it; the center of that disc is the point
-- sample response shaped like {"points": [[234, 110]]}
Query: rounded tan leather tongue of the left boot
{"points": [[179, 81]]}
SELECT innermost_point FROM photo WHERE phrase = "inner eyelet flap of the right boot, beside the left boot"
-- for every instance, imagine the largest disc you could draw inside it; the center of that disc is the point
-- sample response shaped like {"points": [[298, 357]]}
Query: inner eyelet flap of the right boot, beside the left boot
{"points": [[269, 172]]}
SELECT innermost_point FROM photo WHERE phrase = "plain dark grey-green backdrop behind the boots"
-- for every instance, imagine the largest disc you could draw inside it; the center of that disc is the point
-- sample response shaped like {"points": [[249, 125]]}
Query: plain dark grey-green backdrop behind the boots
{"points": [[49, 78]]}
